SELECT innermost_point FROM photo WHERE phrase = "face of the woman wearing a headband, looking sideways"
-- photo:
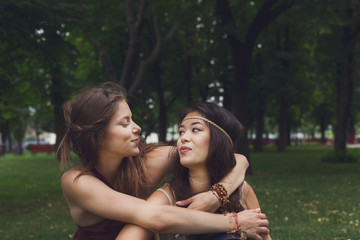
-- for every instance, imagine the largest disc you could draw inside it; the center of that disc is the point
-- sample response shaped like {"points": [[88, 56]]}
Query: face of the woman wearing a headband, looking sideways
{"points": [[194, 140]]}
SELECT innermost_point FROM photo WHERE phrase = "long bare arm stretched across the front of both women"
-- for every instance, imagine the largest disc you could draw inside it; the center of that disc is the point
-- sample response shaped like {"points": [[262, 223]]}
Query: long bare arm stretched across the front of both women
{"points": [[90, 195]]}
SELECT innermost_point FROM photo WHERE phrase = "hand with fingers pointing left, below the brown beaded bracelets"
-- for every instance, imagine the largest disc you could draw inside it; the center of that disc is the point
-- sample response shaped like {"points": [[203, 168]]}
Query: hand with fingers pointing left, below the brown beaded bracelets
{"points": [[205, 201]]}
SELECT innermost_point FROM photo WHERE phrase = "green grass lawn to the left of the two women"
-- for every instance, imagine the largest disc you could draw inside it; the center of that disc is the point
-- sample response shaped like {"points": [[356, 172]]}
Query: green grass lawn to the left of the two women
{"points": [[31, 202]]}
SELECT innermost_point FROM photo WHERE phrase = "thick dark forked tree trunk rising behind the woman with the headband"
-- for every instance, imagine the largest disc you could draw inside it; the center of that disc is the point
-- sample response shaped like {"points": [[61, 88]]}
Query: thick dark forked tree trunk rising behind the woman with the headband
{"points": [[241, 52]]}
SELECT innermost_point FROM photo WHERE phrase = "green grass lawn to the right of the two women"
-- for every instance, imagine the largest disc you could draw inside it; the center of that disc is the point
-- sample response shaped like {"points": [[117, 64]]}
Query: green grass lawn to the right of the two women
{"points": [[305, 198]]}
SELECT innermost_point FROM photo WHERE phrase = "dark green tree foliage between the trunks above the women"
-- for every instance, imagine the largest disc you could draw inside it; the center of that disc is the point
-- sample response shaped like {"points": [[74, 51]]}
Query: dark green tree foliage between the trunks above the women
{"points": [[38, 36]]}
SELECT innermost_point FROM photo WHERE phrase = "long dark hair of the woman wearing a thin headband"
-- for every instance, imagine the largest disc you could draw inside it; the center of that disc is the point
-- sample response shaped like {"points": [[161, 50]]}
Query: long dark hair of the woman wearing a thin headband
{"points": [[220, 160]]}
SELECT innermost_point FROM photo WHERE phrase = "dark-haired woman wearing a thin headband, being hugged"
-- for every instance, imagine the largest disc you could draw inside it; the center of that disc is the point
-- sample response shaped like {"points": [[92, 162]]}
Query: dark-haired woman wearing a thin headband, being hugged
{"points": [[204, 156]]}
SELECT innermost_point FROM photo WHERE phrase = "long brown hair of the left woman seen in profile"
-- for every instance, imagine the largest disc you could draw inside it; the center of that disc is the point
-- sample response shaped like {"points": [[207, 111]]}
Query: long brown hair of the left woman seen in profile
{"points": [[87, 118]]}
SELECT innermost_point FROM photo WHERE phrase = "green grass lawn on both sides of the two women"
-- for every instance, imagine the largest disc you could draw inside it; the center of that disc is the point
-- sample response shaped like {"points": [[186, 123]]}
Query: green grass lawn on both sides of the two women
{"points": [[302, 197]]}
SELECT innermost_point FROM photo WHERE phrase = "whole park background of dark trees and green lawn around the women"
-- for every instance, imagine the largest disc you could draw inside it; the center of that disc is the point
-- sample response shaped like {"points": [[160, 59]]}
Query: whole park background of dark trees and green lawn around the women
{"points": [[287, 69]]}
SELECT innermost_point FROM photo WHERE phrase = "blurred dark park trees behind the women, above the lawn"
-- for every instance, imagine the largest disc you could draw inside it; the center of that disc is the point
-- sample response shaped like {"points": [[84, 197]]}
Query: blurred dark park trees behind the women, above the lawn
{"points": [[287, 69]]}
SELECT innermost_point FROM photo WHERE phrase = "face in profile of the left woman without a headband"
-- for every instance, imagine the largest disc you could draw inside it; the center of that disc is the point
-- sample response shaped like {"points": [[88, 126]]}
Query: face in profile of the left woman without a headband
{"points": [[122, 135]]}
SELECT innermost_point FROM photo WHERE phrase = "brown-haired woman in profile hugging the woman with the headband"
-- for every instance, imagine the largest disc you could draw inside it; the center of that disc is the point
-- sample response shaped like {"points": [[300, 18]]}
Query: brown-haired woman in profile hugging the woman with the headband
{"points": [[116, 171]]}
